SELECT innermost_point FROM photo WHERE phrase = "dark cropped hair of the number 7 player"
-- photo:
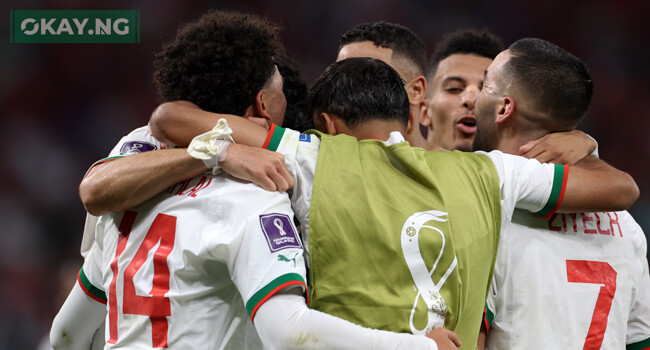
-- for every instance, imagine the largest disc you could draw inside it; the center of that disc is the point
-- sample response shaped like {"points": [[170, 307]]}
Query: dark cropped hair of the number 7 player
{"points": [[558, 83]]}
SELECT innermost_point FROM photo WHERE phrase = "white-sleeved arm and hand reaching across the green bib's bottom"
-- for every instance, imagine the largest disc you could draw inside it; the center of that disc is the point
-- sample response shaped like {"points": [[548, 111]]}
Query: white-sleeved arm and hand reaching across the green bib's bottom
{"points": [[285, 322]]}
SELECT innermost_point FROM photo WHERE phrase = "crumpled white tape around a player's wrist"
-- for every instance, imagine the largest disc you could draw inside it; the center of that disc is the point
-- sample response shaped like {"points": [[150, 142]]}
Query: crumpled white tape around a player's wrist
{"points": [[210, 147]]}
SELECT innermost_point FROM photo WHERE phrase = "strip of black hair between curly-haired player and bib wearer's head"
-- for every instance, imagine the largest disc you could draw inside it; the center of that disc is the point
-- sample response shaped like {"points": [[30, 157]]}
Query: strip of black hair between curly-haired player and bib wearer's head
{"points": [[295, 91]]}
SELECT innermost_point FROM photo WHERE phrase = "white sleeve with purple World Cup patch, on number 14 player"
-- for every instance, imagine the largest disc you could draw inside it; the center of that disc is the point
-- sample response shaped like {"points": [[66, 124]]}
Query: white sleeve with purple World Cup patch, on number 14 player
{"points": [[269, 255]]}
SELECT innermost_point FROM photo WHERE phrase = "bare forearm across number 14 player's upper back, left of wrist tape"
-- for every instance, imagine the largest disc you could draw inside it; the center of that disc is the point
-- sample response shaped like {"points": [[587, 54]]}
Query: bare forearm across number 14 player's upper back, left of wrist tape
{"points": [[126, 182]]}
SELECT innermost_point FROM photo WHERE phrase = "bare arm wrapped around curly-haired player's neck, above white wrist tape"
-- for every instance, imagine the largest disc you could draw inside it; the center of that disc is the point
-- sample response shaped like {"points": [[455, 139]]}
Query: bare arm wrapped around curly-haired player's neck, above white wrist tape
{"points": [[179, 122]]}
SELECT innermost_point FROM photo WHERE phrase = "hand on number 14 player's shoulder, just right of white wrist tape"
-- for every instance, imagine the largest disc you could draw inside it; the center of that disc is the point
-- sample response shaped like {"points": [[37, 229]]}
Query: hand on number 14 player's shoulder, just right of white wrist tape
{"points": [[259, 166]]}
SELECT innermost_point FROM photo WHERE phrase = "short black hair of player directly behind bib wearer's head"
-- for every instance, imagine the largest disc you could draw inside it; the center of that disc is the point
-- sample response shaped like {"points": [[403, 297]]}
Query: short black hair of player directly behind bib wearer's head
{"points": [[403, 41]]}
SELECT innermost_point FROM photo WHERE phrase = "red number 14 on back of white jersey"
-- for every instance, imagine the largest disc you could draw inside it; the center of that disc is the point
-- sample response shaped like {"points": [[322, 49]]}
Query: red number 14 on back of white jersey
{"points": [[157, 306]]}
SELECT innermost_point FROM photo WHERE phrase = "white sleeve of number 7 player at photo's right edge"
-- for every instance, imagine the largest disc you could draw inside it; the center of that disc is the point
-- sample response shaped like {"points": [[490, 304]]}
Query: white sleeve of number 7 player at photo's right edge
{"points": [[638, 326]]}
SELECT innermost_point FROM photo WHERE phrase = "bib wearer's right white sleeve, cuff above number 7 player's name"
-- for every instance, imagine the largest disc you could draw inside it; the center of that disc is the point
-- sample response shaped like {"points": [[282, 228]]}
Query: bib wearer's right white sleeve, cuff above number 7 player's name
{"points": [[528, 184]]}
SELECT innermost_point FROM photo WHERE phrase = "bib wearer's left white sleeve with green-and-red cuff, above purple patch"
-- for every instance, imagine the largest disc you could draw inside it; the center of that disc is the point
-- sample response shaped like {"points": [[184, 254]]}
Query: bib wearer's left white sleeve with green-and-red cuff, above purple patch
{"points": [[300, 153]]}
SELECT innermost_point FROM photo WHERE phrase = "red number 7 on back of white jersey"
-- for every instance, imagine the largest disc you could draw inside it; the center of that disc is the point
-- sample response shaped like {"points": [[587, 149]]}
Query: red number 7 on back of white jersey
{"points": [[598, 272]]}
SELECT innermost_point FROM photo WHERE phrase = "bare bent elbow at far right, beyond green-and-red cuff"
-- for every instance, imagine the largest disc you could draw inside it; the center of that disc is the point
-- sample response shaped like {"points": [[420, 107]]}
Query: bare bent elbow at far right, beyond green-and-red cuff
{"points": [[593, 185]]}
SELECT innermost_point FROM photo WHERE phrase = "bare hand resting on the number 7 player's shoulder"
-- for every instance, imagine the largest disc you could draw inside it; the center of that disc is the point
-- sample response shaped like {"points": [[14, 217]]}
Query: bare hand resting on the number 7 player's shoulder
{"points": [[559, 147]]}
